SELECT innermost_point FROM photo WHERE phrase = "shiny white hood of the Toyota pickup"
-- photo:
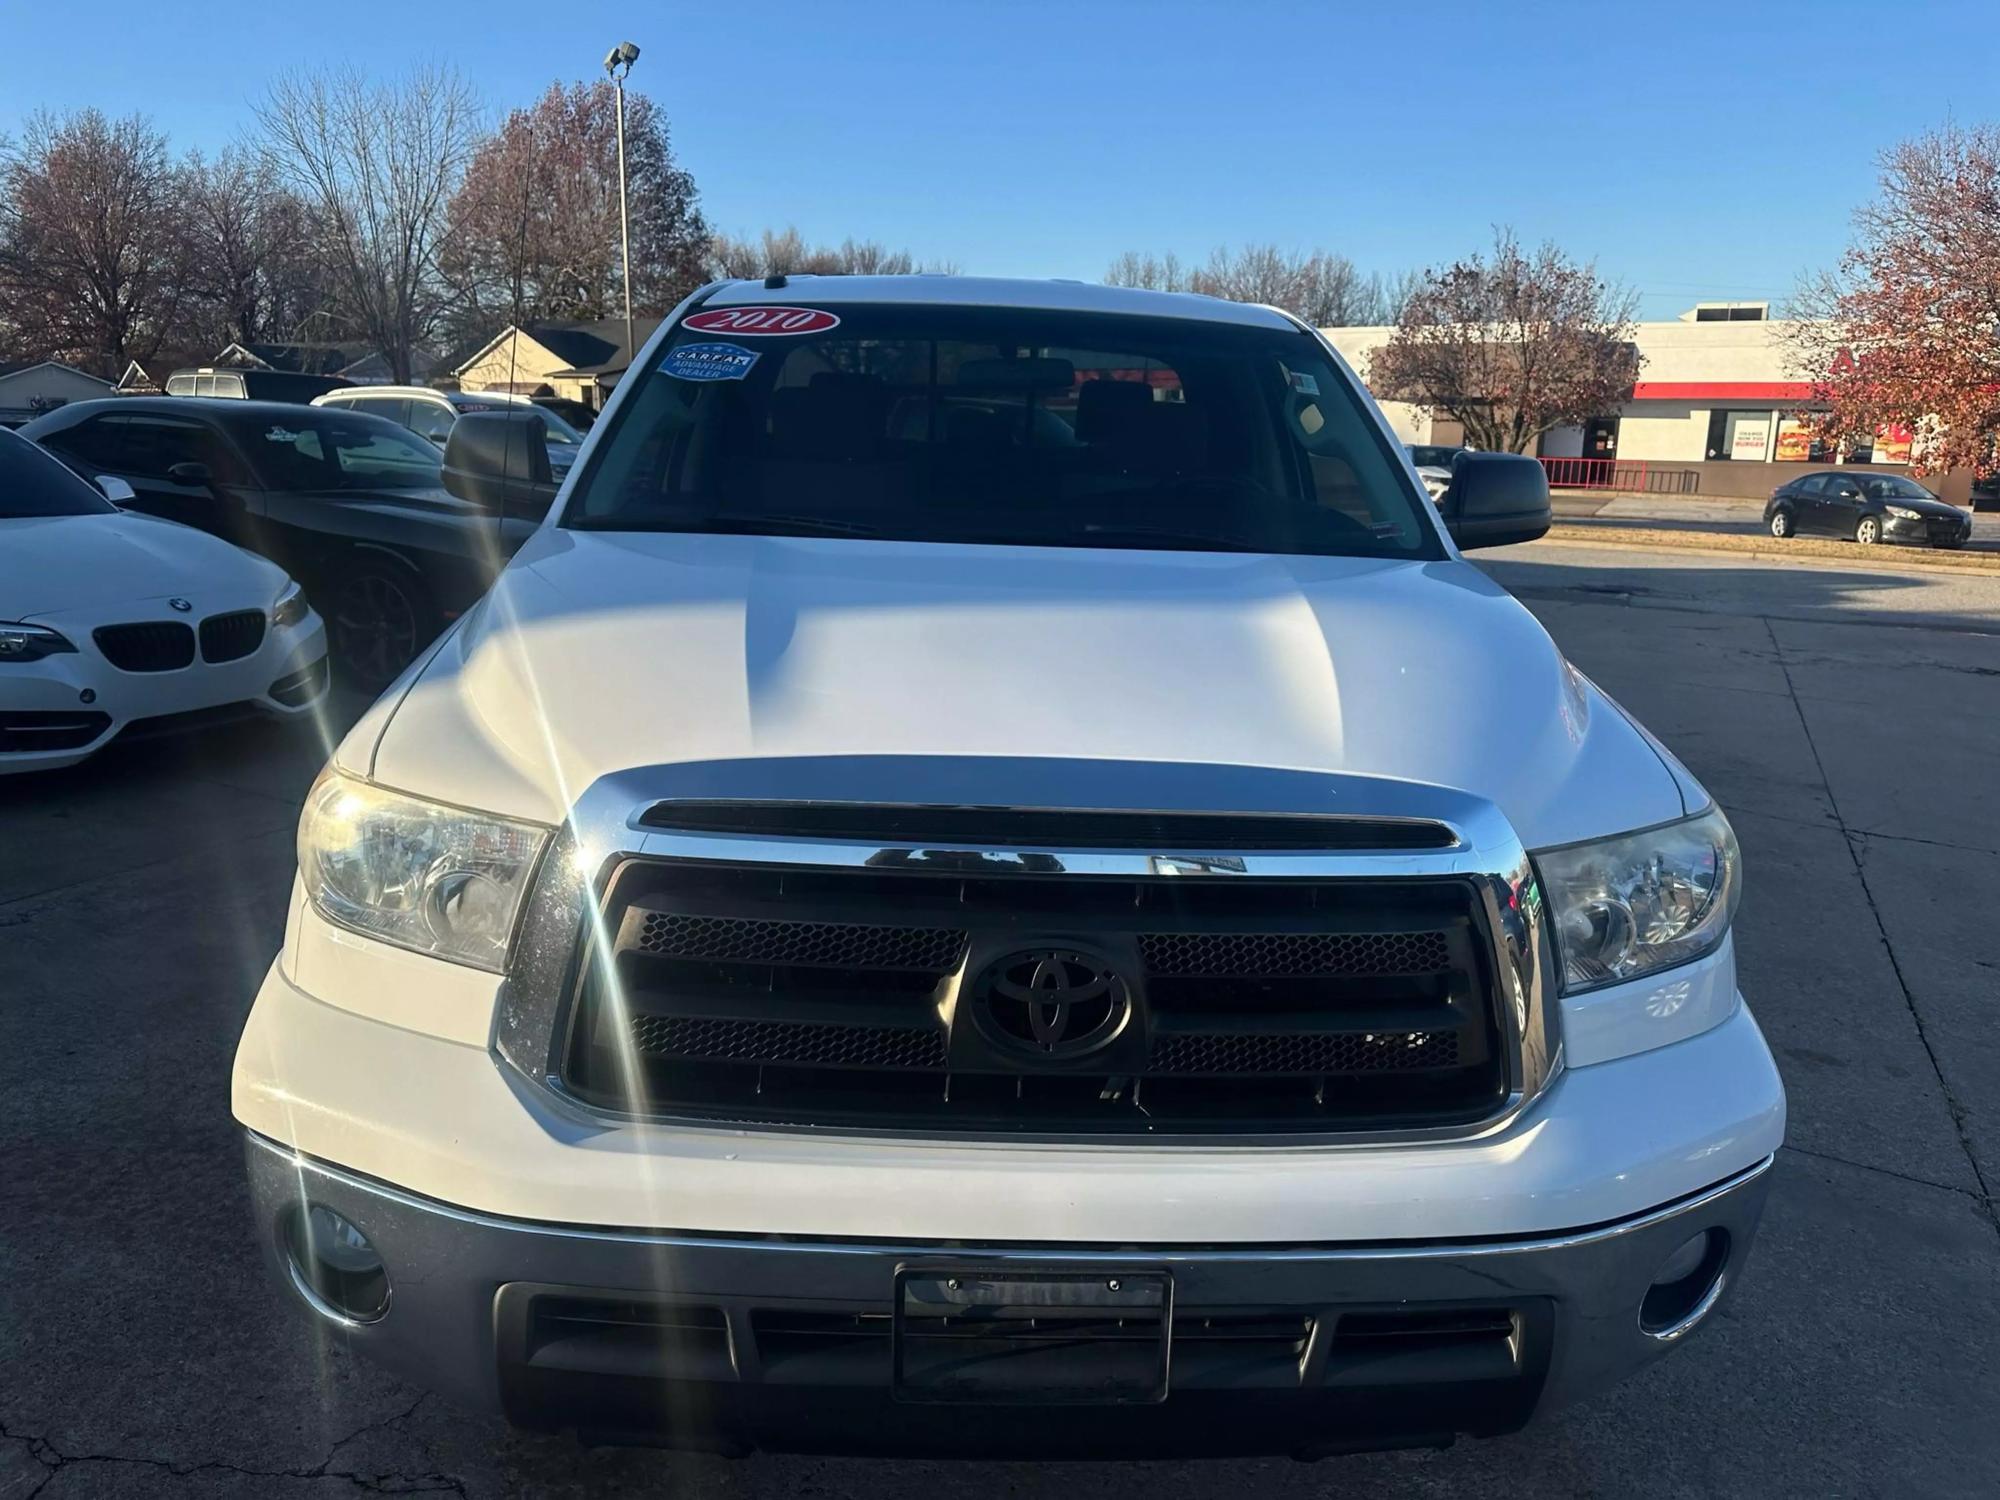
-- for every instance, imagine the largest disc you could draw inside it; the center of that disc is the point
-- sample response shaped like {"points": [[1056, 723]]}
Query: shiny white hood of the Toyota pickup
{"points": [[603, 653]]}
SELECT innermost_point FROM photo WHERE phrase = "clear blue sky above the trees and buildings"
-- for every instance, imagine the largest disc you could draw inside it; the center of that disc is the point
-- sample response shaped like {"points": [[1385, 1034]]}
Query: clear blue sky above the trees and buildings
{"points": [[1693, 151]]}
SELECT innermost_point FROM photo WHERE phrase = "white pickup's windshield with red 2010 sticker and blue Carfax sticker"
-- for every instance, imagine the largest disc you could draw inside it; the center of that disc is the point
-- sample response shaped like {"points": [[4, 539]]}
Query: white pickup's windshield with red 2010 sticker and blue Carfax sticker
{"points": [[1009, 427]]}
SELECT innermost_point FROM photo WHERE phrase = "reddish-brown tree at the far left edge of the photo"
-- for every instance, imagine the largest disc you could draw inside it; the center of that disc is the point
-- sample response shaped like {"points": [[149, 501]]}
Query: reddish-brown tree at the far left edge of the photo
{"points": [[93, 257]]}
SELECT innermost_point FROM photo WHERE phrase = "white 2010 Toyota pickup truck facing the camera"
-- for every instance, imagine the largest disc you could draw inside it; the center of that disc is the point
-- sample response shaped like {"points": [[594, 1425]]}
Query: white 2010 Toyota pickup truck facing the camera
{"points": [[991, 883]]}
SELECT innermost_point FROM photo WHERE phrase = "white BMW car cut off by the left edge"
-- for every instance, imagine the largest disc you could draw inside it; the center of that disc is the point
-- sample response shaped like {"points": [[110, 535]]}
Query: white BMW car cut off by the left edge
{"points": [[115, 623]]}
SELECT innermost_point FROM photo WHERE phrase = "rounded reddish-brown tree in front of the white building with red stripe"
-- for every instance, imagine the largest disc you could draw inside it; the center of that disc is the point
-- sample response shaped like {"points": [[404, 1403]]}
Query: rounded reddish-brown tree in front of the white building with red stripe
{"points": [[1511, 345]]}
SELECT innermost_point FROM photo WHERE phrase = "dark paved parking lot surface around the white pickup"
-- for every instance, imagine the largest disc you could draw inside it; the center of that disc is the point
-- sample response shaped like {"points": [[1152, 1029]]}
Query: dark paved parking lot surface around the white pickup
{"points": [[1849, 723]]}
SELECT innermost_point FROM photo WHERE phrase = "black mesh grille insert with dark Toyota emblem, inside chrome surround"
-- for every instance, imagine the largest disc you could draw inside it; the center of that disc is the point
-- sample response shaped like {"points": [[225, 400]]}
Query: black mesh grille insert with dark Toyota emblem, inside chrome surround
{"points": [[867, 999]]}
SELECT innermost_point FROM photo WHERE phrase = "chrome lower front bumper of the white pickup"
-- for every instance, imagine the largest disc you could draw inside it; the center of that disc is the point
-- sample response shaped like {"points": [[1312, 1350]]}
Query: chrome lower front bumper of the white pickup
{"points": [[737, 1343]]}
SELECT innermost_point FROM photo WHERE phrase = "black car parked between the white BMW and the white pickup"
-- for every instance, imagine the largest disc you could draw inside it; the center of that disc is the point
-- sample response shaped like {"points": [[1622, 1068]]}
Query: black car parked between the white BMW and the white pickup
{"points": [[349, 503]]}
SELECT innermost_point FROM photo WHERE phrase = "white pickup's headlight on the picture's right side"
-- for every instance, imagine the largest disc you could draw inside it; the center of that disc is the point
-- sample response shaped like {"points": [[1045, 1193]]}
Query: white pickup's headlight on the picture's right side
{"points": [[1641, 903]]}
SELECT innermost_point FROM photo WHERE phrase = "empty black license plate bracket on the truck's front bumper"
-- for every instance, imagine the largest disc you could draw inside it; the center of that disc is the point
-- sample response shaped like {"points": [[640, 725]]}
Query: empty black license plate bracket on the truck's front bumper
{"points": [[981, 1335]]}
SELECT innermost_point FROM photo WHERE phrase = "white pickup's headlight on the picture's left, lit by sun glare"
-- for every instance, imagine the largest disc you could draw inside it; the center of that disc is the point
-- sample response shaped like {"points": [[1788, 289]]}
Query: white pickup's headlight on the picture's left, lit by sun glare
{"points": [[419, 875]]}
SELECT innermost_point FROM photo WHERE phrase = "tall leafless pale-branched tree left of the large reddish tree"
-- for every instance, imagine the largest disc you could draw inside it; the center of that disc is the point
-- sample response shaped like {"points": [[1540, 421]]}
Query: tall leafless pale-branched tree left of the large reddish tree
{"points": [[377, 163]]}
